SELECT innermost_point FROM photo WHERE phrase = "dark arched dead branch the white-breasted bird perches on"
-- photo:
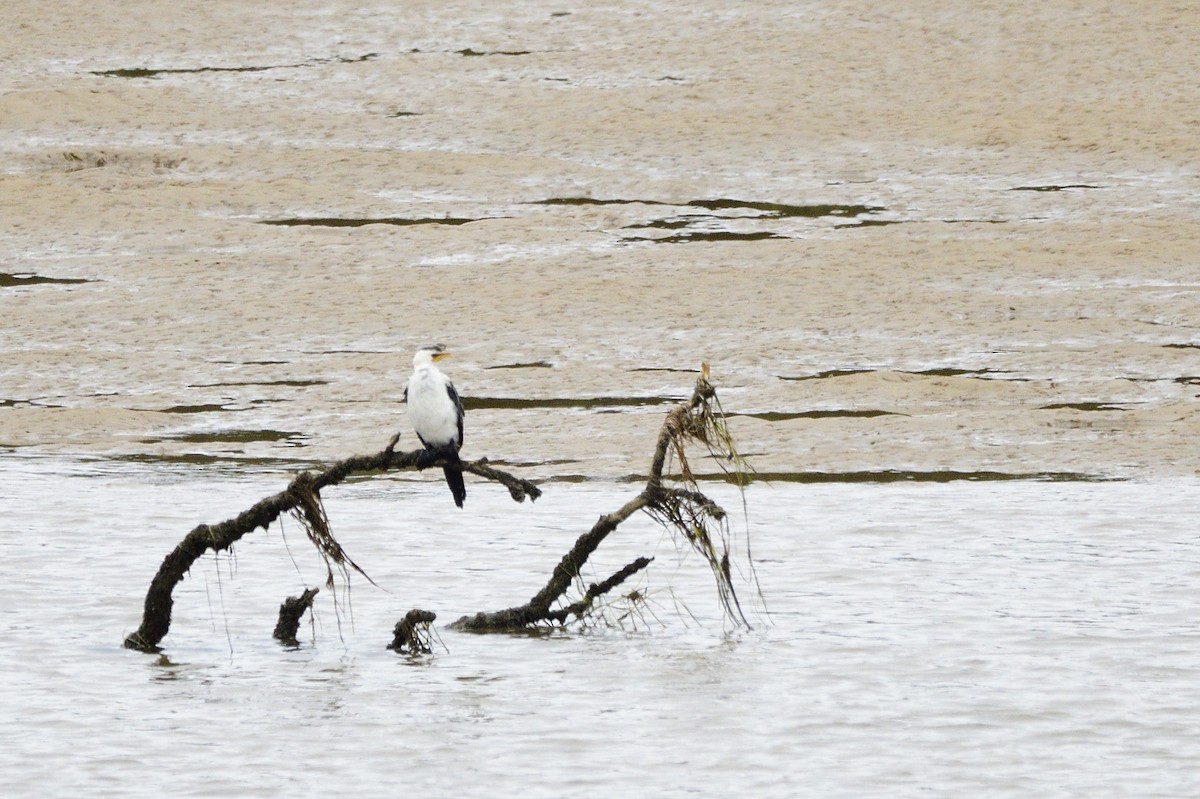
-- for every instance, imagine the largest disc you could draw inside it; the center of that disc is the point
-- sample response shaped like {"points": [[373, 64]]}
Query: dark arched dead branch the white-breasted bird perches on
{"points": [[299, 495]]}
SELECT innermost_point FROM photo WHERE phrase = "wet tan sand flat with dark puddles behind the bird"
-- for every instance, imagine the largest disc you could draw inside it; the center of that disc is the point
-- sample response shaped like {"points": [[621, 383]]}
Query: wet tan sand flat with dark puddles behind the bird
{"points": [[913, 241]]}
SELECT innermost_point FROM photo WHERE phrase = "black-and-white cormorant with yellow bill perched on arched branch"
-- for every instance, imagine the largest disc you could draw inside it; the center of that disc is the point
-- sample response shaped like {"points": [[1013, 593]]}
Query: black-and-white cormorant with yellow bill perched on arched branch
{"points": [[436, 413]]}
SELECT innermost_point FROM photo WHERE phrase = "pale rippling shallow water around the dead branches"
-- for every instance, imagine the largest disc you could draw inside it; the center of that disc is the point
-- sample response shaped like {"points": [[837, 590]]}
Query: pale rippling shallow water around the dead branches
{"points": [[961, 639]]}
